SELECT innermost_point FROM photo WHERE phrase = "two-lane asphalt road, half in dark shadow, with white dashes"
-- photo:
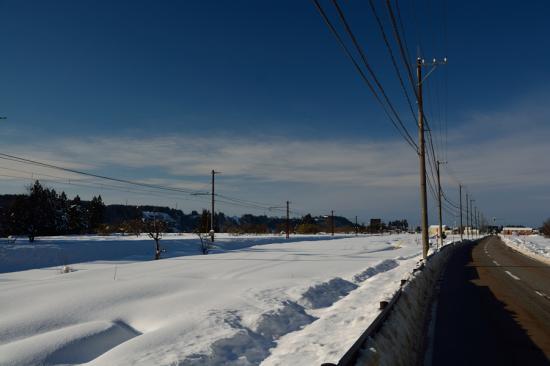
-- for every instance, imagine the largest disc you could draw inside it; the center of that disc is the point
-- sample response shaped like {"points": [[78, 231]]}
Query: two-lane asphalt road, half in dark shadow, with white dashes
{"points": [[493, 308]]}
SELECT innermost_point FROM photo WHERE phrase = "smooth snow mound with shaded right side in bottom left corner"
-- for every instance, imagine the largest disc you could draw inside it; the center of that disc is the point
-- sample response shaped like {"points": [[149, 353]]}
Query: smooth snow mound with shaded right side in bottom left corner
{"points": [[70, 345]]}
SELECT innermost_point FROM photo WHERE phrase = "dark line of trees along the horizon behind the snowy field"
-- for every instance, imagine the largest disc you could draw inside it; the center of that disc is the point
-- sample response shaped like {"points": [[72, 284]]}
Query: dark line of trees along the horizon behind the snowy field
{"points": [[43, 211]]}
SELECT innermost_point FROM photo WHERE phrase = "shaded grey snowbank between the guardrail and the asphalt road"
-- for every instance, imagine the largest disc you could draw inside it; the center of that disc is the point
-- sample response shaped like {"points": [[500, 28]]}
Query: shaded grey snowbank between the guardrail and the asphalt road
{"points": [[404, 328]]}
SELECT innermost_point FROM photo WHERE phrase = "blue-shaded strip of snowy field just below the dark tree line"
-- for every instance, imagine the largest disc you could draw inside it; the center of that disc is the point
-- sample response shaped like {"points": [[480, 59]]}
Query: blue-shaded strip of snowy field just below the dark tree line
{"points": [[62, 250]]}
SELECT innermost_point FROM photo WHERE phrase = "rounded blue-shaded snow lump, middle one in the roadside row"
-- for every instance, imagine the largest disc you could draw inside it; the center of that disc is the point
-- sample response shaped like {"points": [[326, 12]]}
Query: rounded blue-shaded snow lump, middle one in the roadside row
{"points": [[326, 293]]}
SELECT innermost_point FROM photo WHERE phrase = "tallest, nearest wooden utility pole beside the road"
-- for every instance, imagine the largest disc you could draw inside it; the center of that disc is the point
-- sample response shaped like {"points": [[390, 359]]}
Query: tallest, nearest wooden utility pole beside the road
{"points": [[422, 155]]}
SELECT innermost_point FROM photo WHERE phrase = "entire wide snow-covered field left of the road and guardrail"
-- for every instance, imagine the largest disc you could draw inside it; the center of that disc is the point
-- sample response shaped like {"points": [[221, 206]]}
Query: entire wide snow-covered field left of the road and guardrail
{"points": [[255, 300]]}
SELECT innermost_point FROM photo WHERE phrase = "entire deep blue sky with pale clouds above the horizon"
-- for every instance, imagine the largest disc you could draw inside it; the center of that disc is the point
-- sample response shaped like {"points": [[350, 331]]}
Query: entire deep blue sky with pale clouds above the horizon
{"points": [[166, 91]]}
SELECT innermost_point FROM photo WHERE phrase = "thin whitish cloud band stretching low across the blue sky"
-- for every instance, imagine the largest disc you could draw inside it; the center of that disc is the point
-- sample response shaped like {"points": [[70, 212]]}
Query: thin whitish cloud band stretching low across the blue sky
{"points": [[501, 151]]}
